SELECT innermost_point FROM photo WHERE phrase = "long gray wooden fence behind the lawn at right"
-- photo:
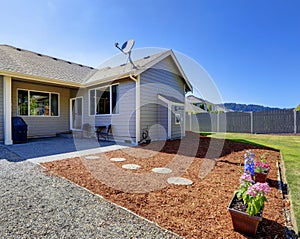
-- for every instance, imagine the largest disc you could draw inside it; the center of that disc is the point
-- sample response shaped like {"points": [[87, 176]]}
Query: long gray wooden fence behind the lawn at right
{"points": [[265, 122]]}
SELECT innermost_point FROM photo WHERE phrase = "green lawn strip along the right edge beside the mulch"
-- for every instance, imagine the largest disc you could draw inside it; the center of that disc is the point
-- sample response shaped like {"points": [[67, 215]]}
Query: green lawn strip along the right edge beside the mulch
{"points": [[290, 149]]}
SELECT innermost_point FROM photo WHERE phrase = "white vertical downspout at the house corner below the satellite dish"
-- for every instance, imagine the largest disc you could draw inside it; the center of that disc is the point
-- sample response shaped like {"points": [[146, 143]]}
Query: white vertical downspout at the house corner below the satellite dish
{"points": [[137, 107]]}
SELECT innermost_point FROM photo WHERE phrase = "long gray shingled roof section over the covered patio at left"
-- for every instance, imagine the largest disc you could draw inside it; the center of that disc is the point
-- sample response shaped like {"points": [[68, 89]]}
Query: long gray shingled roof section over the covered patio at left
{"points": [[27, 63]]}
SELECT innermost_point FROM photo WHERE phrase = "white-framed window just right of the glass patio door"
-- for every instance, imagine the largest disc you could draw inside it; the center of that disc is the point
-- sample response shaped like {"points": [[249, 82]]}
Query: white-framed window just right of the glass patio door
{"points": [[104, 100]]}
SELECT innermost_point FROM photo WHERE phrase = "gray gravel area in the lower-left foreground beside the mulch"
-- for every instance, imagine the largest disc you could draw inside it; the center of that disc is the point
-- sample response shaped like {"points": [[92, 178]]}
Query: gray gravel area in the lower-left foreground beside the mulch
{"points": [[34, 205]]}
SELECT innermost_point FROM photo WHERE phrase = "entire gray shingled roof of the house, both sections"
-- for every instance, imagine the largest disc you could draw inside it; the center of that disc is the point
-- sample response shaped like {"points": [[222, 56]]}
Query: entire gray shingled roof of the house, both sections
{"points": [[23, 63]]}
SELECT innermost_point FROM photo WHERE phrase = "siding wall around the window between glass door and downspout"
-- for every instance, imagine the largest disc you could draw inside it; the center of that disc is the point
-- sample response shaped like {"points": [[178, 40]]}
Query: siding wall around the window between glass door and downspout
{"points": [[123, 124]]}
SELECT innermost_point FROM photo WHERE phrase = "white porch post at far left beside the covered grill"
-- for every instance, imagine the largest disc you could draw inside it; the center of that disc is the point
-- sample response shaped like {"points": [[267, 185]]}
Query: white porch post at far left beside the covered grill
{"points": [[7, 110]]}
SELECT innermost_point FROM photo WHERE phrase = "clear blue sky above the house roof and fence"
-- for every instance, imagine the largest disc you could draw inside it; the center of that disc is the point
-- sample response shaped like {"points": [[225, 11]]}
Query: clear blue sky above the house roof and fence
{"points": [[250, 48]]}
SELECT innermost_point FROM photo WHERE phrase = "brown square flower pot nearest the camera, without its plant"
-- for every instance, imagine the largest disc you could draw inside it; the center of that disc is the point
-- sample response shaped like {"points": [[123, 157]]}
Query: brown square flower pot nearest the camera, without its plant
{"points": [[241, 221]]}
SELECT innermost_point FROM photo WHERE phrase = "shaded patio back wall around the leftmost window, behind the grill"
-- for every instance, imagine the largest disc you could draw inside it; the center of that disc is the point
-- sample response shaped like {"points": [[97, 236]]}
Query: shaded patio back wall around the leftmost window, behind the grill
{"points": [[41, 126]]}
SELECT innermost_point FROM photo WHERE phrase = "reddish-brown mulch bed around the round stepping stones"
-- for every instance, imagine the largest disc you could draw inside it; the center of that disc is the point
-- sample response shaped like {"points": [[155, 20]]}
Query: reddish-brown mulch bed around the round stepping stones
{"points": [[196, 211]]}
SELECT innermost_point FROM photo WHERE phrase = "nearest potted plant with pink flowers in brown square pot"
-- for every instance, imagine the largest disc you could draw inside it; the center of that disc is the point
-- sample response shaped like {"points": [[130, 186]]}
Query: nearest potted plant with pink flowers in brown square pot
{"points": [[246, 205]]}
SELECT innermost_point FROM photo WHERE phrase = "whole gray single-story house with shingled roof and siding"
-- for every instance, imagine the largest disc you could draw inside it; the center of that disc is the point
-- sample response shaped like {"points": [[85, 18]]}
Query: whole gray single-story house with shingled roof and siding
{"points": [[53, 95]]}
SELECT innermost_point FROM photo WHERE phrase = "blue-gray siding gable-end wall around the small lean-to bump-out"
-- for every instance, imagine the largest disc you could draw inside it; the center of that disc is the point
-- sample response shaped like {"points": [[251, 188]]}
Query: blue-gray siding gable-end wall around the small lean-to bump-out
{"points": [[161, 79]]}
